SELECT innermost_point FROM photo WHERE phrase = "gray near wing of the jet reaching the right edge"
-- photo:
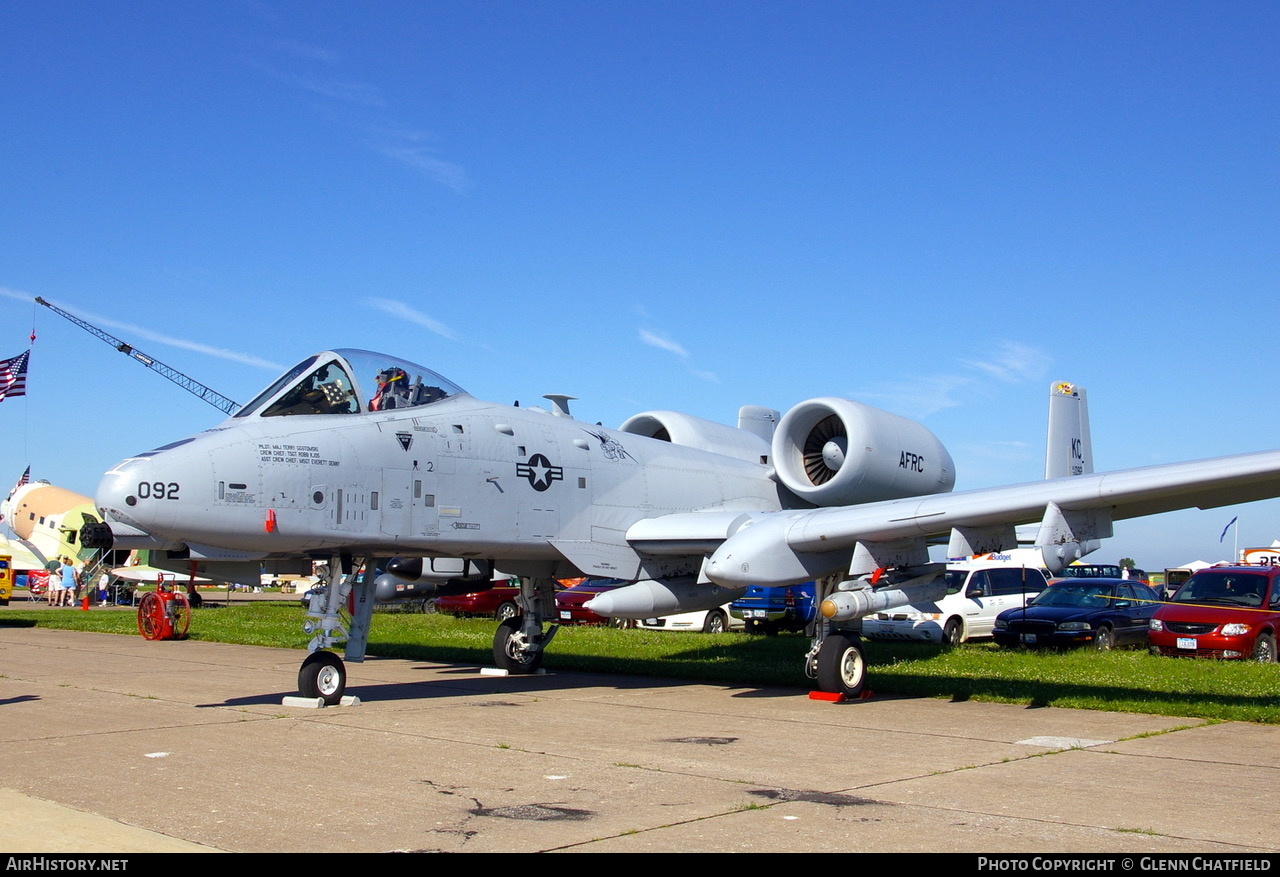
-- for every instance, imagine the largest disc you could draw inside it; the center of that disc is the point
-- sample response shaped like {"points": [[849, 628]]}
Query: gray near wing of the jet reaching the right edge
{"points": [[788, 547]]}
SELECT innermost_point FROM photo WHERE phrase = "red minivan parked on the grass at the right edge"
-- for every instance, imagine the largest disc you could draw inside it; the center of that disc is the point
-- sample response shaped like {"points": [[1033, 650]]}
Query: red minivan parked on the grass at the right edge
{"points": [[1222, 613]]}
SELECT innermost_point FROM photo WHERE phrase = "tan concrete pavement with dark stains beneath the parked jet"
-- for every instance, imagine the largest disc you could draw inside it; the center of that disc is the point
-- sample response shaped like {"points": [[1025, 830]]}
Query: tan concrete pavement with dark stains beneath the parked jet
{"points": [[116, 744]]}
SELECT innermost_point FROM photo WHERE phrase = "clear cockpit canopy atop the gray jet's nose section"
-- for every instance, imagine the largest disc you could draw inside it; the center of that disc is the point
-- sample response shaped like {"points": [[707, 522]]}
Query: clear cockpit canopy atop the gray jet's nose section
{"points": [[349, 382]]}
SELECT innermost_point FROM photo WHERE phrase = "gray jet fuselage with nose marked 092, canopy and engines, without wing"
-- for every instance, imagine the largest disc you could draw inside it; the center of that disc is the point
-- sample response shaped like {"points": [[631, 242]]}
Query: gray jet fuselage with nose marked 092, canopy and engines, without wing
{"points": [[321, 464]]}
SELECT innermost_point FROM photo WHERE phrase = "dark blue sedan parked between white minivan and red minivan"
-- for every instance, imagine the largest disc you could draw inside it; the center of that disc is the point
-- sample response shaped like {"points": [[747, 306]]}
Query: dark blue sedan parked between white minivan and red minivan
{"points": [[1107, 613]]}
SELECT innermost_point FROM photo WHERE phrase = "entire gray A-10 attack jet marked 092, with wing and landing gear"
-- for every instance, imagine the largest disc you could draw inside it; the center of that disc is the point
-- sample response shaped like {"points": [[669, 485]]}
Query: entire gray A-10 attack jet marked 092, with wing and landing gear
{"points": [[358, 455]]}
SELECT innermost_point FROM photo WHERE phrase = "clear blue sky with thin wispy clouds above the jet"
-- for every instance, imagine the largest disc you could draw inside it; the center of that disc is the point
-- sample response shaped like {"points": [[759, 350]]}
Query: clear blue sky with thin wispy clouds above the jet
{"points": [[936, 208]]}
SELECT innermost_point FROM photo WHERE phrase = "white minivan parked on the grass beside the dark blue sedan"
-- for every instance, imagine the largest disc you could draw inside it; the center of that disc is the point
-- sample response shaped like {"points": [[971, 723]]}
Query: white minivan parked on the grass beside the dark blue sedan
{"points": [[979, 590]]}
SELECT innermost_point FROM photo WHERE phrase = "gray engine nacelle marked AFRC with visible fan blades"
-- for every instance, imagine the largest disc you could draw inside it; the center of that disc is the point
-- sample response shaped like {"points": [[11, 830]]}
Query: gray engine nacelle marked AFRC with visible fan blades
{"points": [[838, 453]]}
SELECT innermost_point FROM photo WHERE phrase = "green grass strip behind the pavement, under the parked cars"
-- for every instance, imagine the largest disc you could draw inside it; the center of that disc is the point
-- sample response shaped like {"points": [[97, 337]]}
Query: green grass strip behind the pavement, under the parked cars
{"points": [[1119, 682]]}
